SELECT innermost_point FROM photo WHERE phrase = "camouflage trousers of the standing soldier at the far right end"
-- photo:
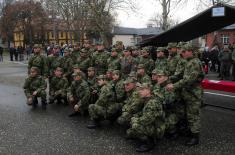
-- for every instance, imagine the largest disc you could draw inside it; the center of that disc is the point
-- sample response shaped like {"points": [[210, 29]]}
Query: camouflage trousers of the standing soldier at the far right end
{"points": [[193, 100]]}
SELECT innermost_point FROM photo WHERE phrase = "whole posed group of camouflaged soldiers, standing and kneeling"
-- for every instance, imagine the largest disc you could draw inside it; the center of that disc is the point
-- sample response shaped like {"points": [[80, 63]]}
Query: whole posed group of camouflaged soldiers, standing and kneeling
{"points": [[150, 99]]}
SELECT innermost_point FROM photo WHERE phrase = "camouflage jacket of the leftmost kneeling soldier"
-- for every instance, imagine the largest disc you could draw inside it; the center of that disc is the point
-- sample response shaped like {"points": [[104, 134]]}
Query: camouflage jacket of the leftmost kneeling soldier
{"points": [[34, 84]]}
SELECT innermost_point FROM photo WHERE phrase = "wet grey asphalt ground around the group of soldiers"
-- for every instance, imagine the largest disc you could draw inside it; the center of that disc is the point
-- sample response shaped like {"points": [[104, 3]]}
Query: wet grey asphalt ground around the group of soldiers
{"points": [[26, 131]]}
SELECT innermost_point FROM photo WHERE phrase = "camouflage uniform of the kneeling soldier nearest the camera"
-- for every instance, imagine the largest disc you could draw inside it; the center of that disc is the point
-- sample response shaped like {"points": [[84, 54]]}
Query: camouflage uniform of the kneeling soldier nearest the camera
{"points": [[149, 122]]}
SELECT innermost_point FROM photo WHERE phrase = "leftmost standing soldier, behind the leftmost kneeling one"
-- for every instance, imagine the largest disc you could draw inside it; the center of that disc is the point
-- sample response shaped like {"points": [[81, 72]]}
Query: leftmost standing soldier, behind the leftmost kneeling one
{"points": [[39, 61]]}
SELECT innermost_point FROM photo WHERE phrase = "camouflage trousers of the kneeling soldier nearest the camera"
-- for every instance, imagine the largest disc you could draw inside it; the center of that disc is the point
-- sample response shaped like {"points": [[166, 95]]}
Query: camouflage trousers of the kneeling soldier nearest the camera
{"points": [[141, 131]]}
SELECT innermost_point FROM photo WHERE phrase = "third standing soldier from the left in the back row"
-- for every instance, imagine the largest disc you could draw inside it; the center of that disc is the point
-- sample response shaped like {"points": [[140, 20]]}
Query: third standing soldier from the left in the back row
{"points": [[67, 64]]}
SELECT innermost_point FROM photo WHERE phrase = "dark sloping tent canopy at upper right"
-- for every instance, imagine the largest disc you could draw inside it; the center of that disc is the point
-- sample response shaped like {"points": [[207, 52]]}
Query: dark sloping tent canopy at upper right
{"points": [[201, 24]]}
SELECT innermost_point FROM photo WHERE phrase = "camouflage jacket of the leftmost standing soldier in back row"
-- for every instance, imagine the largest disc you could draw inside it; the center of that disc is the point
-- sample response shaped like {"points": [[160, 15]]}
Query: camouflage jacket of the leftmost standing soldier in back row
{"points": [[39, 61]]}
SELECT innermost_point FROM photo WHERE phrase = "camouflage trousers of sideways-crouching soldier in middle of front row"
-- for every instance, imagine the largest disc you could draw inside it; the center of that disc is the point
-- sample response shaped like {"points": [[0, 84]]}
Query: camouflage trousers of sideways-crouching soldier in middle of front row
{"points": [[98, 112]]}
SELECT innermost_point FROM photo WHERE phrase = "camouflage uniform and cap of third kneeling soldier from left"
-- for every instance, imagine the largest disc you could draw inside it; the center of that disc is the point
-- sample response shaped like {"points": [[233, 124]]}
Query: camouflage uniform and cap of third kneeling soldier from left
{"points": [[79, 90]]}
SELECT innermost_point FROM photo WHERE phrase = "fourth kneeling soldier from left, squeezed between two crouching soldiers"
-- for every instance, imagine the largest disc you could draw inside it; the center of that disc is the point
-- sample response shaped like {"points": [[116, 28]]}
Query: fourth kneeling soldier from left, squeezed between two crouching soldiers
{"points": [[91, 80]]}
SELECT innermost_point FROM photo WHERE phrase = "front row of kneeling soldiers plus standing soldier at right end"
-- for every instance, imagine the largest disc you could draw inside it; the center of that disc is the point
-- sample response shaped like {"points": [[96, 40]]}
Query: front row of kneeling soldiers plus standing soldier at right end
{"points": [[148, 110]]}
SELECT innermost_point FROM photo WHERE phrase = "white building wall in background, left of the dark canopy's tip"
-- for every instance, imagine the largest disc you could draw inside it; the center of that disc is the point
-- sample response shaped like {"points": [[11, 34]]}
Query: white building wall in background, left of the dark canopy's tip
{"points": [[128, 40]]}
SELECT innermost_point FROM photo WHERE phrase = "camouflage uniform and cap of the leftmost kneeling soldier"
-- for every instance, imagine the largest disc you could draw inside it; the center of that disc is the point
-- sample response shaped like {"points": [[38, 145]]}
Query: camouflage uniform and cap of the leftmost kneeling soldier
{"points": [[37, 84]]}
